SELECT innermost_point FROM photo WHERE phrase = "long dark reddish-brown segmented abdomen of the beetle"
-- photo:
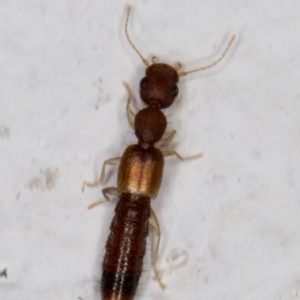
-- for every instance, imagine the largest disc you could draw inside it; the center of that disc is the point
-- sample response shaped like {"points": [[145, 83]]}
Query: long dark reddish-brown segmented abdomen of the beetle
{"points": [[125, 248]]}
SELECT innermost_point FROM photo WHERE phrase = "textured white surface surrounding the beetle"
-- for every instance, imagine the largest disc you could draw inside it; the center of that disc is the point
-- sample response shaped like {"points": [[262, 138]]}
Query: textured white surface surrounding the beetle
{"points": [[234, 214]]}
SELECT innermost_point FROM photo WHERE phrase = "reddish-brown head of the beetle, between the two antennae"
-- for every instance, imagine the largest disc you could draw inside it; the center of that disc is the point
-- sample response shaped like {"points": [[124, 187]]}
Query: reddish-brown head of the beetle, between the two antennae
{"points": [[159, 85]]}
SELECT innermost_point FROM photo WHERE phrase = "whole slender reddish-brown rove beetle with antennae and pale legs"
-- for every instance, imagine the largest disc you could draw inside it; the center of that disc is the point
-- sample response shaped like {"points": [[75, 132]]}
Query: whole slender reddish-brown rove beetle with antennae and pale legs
{"points": [[139, 180]]}
